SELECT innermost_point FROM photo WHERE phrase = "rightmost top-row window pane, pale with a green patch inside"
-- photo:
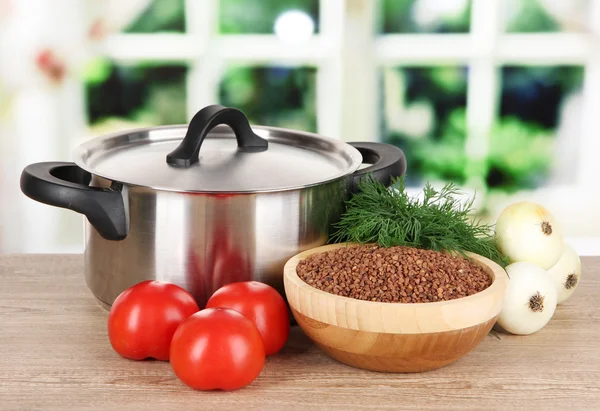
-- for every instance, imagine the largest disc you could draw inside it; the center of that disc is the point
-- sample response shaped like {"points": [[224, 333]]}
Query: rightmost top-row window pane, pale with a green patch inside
{"points": [[523, 16]]}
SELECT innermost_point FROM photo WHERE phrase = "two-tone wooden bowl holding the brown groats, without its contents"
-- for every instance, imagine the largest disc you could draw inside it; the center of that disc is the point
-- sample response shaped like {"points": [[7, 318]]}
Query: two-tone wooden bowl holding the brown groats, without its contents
{"points": [[394, 337]]}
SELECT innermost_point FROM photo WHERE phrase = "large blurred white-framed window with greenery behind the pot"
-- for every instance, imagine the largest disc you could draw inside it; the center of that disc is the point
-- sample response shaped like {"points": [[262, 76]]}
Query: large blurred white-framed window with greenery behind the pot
{"points": [[500, 96]]}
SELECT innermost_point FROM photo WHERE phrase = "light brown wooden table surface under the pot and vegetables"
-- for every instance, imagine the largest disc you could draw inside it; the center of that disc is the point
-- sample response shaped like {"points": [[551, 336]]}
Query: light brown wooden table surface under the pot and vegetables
{"points": [[55, 355]]}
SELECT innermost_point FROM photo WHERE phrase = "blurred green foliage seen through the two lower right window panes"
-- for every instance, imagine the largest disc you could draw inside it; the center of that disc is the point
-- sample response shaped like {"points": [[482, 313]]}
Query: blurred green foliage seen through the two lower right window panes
{"points": [[521, 142]]}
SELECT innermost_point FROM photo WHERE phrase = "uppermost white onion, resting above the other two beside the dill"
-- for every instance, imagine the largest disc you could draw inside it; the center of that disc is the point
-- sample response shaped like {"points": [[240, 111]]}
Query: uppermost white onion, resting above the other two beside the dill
{"points": [[526, 231]]}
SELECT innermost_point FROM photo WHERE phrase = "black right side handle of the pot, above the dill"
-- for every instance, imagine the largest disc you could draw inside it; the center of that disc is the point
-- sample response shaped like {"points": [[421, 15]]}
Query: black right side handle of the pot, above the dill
{"points": [[387, 162]]}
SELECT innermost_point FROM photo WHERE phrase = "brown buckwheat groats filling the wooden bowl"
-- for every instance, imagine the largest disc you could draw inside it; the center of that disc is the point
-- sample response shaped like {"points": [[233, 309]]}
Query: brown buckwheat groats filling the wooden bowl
{"points": [[395, 274]]}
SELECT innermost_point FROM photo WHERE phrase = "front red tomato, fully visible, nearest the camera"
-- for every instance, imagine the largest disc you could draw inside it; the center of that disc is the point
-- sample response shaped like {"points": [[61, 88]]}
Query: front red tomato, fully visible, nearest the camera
{"points": [[217, 348]]}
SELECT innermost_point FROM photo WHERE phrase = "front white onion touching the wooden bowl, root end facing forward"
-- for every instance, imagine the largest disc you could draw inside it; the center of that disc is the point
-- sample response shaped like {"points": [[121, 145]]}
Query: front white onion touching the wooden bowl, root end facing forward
{"points": [[530, 299]]}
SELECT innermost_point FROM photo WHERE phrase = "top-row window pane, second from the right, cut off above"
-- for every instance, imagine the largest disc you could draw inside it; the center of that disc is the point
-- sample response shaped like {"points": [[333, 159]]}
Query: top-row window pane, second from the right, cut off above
{"points": [[424, 16]]}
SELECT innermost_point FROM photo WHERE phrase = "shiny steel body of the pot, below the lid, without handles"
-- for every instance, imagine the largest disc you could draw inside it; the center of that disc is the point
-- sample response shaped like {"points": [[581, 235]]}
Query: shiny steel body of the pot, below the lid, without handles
{"points": [[202, 241]]}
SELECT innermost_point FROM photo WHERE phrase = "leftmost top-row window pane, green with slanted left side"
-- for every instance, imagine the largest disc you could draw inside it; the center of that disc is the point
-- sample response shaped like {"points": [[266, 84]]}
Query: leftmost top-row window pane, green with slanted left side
{"points": [[160, 15]]}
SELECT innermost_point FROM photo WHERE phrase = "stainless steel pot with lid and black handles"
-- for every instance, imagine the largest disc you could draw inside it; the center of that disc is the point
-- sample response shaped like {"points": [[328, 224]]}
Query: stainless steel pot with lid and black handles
{"points": [[220, 205]]}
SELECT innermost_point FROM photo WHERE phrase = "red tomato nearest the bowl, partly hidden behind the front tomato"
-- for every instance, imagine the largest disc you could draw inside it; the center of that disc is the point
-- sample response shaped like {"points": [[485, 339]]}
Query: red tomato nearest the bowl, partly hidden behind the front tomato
{"points": [[260, 303]]}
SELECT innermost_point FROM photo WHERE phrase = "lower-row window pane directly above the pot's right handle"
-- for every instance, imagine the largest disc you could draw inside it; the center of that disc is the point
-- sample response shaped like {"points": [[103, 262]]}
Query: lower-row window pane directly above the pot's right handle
{"points": [[424, 114]]}
